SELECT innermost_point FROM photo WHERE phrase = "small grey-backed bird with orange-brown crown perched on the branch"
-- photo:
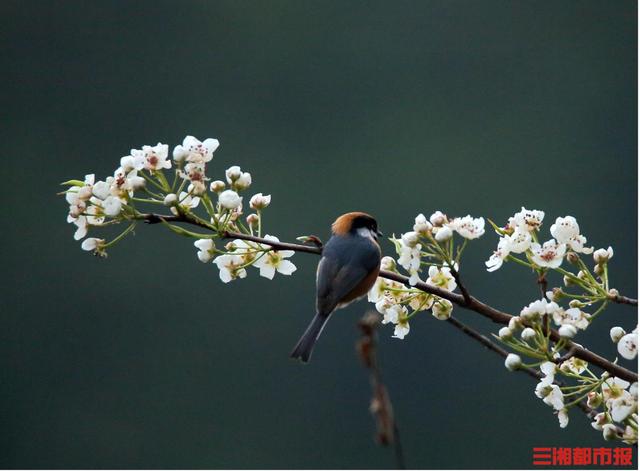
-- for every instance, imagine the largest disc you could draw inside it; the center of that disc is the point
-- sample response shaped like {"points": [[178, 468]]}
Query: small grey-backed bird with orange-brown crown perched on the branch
{"points": [[348, 269]]}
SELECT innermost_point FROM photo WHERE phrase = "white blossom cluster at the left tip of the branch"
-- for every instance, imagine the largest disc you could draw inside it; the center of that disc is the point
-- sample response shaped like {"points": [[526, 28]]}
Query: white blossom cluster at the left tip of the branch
{"points": [[141, 180]]}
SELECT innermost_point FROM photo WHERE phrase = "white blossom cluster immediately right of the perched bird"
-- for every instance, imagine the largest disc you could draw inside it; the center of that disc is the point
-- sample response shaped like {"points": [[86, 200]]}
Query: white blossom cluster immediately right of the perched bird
{"points": [[432, 239]]}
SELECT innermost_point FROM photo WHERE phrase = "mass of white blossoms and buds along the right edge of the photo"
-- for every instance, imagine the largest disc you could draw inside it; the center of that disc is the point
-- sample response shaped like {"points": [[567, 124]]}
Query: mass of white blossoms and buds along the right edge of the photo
{"points": [[529, 333]]}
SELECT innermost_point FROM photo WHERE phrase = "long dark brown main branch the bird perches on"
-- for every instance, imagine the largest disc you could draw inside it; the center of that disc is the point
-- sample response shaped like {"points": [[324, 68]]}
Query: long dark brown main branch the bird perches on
{"points": [[467, 302]]}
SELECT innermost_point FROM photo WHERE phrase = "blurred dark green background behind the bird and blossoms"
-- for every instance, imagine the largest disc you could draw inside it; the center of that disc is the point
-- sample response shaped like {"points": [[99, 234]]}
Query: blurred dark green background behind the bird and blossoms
{"points": [[147, 360]]}
